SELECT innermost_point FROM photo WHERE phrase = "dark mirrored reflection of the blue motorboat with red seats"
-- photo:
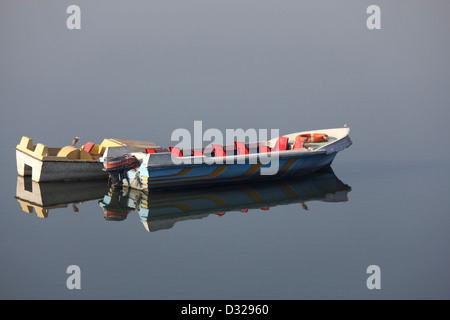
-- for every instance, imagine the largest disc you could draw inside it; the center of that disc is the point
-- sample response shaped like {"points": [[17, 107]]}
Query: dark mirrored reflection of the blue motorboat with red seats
{"points": [[160, 210]]}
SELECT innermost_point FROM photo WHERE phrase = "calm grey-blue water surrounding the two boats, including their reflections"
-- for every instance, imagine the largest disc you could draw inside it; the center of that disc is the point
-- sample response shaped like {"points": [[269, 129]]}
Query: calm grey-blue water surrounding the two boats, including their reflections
{"points": [[140, 71]]}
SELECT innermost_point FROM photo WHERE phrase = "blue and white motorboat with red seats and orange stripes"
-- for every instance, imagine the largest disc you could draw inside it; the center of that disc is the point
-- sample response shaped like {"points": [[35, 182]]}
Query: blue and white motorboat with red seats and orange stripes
{"points": [[295, 154]]}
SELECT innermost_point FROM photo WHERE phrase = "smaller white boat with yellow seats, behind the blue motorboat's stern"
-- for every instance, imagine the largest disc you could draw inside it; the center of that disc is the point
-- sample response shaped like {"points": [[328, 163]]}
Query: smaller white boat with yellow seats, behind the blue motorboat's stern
{"points": [[45, 163]]}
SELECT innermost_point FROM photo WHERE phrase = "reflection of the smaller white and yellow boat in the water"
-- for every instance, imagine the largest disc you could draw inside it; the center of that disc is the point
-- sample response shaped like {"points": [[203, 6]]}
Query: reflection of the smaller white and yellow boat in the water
{"points": [[45, 196]]}
